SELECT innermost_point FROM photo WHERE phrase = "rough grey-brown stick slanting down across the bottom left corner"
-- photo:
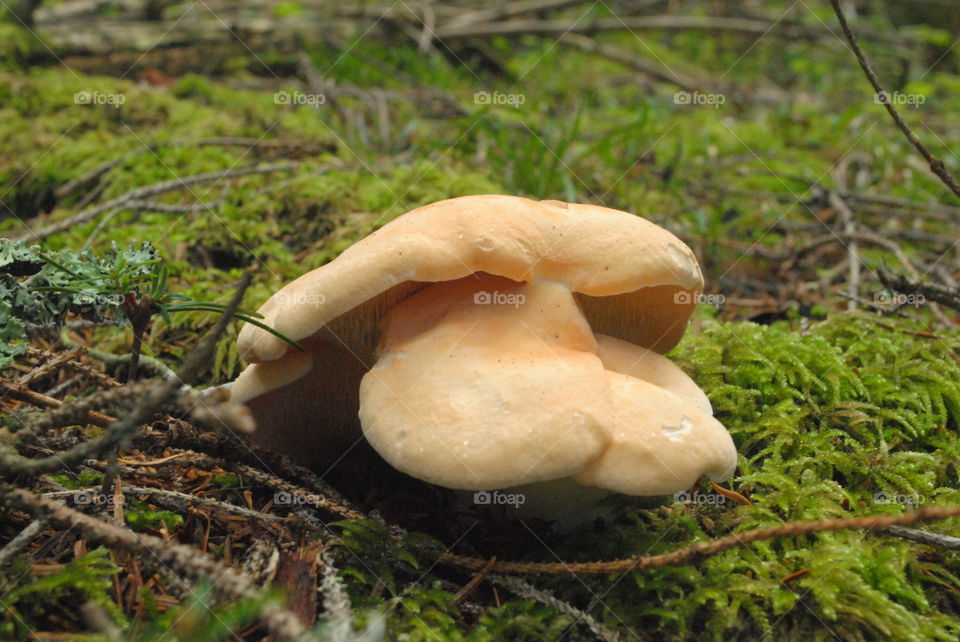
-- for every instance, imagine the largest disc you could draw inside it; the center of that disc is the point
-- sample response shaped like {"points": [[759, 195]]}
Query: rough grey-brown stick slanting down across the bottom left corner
{"points": [[226, 582]]}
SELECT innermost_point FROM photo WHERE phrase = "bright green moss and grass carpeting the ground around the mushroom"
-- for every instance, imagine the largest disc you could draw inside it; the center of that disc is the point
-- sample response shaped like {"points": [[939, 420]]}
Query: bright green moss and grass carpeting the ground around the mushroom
{"points": [[834, 412]]}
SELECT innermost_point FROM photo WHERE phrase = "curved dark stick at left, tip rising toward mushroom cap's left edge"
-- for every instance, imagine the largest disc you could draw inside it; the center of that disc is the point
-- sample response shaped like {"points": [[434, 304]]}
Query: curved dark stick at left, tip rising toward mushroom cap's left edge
{"points": [[121, 430]]}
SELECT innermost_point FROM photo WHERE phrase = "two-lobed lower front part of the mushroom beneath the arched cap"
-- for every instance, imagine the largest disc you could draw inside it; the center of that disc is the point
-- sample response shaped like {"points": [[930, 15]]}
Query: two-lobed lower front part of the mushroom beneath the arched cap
{"points": [[487, 383]]}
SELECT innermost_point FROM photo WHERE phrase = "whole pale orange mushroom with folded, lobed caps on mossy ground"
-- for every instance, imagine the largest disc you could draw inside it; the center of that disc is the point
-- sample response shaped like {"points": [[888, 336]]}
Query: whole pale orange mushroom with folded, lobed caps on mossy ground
{"points": [[492, 343]]}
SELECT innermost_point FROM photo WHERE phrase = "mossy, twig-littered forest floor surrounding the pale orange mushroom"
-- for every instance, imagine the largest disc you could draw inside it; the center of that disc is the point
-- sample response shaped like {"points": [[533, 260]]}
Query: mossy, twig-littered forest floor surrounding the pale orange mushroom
{"points": [[248, 145]]}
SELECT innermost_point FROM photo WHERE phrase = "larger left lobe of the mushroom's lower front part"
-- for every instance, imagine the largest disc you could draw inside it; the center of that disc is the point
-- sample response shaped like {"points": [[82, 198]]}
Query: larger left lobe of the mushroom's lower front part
{"points": [[489, 394]]}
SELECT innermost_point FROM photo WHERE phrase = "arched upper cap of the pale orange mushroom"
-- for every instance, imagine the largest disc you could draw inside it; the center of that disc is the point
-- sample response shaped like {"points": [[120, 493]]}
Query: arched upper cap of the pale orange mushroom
{"points": [[626, 270]]}
